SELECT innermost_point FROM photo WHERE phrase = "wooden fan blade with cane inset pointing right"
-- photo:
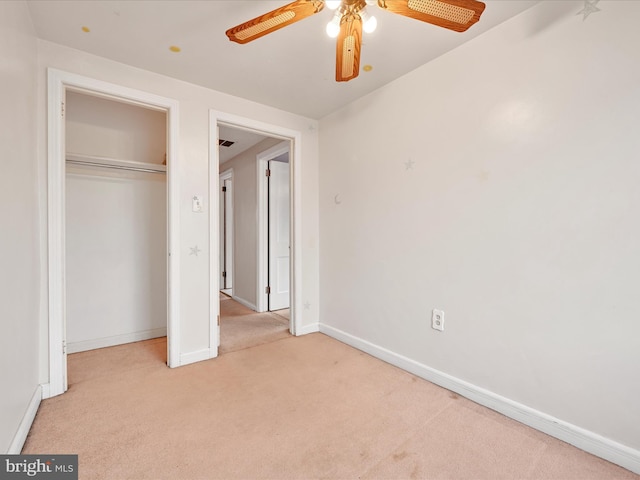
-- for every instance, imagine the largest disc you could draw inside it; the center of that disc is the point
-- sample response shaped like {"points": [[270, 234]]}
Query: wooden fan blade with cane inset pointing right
{"points": [[456, 15]]}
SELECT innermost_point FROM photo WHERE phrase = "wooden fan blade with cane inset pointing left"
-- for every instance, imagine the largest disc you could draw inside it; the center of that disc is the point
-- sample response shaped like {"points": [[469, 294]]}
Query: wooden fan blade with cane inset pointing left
{"points": [[274, 20]]}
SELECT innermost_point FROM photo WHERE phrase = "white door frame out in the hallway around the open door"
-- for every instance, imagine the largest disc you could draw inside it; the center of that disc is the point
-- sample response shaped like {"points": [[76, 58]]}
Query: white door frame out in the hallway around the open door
{"points": [[263, 158]]}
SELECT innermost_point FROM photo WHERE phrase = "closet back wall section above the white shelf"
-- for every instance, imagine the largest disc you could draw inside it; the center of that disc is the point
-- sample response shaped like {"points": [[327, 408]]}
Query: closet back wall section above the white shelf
{"points": [[106, 128]]}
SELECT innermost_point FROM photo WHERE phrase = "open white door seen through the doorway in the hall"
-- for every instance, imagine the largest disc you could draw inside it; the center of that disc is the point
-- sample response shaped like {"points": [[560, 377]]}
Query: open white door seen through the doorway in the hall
{"points": [[279, 252]]}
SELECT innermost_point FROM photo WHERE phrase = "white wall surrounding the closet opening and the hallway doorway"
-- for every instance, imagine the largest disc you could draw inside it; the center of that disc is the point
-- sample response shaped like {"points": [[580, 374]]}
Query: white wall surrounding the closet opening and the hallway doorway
{"points": [[194, 105]]}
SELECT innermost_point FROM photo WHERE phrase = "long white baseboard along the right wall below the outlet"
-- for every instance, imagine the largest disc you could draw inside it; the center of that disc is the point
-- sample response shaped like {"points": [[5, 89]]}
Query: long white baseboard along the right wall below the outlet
{"points": [[584, 439]]}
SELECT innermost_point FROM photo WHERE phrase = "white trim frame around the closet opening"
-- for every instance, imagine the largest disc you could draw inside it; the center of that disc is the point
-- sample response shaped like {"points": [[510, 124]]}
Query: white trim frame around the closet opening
{"points": [[58, 82]]}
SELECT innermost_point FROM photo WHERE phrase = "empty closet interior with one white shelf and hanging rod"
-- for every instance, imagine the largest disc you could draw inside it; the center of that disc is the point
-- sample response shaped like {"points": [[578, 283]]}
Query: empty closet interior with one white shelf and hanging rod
{"points": [[116, 222]]}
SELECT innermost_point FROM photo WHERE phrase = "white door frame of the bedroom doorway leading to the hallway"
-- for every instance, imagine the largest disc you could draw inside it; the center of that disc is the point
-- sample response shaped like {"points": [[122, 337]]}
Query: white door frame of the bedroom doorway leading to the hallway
{"points": [[294, 139]]}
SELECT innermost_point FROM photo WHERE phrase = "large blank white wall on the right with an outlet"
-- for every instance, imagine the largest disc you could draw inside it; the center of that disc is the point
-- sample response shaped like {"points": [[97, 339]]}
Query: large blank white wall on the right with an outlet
{"points": [[500, 184]]}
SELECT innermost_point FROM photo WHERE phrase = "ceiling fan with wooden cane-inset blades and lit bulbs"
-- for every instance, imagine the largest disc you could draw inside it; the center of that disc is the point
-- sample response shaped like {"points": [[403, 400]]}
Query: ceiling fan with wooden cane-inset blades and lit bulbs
{"points": [[351, 17]]}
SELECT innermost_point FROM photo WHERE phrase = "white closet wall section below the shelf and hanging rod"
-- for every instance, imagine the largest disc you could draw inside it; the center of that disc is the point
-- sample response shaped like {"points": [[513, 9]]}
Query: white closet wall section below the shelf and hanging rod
{"points": [[116, 257]]}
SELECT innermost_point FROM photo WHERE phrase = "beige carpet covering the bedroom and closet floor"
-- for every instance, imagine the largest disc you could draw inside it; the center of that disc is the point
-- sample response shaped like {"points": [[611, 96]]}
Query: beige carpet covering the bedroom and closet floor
{"points": [[298, 408]]}
